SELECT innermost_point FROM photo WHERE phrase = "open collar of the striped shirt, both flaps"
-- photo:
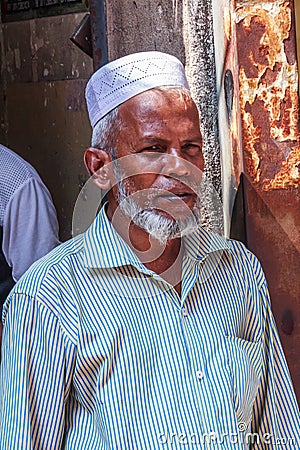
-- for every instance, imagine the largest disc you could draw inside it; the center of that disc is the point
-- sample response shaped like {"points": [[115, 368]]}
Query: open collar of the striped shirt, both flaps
{"points": [[104, 247]]}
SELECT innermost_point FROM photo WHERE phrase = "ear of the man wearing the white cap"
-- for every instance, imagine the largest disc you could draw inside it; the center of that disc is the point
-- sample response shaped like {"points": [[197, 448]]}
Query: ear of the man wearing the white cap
{"points": [[96, 161]]}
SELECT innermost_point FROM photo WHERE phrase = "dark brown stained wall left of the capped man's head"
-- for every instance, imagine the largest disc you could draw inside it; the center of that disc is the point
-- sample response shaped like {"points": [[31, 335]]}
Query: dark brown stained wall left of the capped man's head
{"points": [[42, 107]]}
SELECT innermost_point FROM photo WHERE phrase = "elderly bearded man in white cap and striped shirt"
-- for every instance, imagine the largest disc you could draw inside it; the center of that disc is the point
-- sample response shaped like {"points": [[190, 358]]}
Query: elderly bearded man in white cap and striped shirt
{"points": [[146, 331]]}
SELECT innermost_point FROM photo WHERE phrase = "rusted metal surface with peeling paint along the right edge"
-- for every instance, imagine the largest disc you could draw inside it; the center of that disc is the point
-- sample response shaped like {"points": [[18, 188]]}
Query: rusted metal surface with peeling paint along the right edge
{"points": [[268, 83]]}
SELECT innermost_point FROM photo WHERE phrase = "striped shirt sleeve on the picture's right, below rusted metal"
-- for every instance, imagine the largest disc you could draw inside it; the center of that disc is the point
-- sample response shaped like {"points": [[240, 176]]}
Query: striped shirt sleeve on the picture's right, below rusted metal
{"points": [[276, 418]]}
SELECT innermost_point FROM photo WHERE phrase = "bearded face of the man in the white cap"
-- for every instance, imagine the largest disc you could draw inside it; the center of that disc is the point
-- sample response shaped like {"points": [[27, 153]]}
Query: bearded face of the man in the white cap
{"points": [[161, 174]]}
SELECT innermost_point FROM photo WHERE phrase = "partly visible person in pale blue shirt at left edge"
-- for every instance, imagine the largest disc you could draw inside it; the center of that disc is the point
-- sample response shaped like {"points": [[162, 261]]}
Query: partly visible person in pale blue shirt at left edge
{"points": [[28, 222]]}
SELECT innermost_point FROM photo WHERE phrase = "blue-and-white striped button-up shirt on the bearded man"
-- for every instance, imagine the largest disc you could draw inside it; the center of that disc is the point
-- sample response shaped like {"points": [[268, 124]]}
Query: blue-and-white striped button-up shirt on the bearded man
{"points": [[101, 353]]}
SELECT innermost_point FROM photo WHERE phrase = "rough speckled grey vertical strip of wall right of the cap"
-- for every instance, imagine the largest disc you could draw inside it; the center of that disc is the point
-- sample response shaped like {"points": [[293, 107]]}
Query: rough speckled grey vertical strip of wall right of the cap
{"points": [[198, 32]]}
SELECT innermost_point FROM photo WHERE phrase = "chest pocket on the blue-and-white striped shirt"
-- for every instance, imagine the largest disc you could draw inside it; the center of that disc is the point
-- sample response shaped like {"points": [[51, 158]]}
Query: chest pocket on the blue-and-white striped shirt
{"points": [[244, 360]]}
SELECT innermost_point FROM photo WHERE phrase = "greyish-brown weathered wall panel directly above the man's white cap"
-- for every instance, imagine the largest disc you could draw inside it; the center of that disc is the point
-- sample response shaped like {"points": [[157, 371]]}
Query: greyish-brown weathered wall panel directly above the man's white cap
{"points": [[143, 25]]}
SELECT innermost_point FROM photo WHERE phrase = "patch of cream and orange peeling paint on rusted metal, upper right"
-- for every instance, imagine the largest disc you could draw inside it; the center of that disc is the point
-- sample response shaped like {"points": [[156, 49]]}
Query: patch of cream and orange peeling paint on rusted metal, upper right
{"points": [[268, 94]]}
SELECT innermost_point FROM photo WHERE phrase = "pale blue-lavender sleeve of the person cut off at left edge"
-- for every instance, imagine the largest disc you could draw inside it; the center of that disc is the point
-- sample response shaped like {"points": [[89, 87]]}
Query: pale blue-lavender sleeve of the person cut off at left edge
{"points": [[30, 227]]}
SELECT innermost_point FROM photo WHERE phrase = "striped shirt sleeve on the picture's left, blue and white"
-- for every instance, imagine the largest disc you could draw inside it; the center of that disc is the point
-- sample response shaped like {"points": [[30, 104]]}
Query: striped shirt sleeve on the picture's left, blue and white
{"points": [[35, 377]]}
